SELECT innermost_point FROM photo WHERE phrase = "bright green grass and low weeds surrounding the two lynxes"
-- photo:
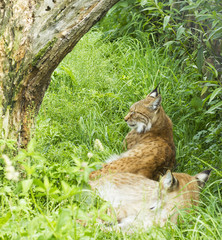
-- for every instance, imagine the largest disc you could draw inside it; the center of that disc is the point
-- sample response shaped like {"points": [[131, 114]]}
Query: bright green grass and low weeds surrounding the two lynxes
{"points": [[90, 93]]}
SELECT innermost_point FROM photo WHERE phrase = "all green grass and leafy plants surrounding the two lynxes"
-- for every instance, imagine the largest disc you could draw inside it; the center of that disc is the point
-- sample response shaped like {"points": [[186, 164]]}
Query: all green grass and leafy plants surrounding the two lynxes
{"points": [[117, 63]]}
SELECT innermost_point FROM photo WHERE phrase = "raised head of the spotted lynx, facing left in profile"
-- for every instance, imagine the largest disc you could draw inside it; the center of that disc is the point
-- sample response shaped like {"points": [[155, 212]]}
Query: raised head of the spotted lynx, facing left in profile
{"points": [[143, 114]]}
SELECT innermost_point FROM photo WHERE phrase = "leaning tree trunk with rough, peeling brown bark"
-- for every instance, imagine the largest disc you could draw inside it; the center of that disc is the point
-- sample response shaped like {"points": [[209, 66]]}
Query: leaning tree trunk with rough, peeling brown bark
{"points": [[35, 36]]}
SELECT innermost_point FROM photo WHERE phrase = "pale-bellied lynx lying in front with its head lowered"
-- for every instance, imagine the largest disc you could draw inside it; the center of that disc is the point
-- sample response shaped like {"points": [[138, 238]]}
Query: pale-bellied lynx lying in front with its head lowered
{"points": [[139, 202]]}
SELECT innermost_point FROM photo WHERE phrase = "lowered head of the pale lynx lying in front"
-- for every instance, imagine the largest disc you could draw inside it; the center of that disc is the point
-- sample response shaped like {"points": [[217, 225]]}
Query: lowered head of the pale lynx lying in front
{"points": [[179, 191]]}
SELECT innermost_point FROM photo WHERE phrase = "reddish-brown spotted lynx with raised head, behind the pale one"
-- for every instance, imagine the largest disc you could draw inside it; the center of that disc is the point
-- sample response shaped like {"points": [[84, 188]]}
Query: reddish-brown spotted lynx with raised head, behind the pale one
{"points": [[150, 145]]}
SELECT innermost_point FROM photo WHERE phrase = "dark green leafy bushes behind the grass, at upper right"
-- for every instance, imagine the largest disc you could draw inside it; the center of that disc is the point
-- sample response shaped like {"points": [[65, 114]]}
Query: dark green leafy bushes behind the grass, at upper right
{"points": [[191, 30]]}
